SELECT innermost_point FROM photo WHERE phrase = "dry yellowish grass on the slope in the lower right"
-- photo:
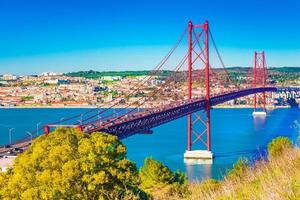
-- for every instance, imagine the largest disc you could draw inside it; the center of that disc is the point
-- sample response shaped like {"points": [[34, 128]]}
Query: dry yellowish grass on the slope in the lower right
{"points": [[277, 178]]}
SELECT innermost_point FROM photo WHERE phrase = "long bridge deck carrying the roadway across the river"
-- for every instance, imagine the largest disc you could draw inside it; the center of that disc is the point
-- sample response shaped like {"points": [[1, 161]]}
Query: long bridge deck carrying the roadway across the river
{"points": [[142, 122]]}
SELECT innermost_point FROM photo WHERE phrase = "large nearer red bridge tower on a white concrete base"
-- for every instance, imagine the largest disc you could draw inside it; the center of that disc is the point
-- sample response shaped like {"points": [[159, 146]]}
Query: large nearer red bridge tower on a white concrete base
{"points": [[198, 54]]}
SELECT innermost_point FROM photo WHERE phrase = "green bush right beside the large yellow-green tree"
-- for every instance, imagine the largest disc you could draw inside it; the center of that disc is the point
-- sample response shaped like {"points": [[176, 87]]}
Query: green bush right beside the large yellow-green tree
{"points": [[157, 178]]}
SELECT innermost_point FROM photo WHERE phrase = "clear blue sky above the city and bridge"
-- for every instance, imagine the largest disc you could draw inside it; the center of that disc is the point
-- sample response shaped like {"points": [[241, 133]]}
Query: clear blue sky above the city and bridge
{"points": [[62, 35]]}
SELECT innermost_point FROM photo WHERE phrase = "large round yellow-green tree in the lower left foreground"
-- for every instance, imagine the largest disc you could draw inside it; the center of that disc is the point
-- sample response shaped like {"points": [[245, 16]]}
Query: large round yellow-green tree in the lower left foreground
{"points": [[69, 164]]}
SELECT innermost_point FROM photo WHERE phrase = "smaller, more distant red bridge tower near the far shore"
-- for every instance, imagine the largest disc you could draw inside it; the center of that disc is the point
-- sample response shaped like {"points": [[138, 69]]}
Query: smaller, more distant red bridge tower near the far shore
{"points": [[259, 80]]}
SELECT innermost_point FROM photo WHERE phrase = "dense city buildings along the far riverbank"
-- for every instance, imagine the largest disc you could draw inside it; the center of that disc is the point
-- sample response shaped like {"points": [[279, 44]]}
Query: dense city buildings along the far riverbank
{"points": [[127, 89]]}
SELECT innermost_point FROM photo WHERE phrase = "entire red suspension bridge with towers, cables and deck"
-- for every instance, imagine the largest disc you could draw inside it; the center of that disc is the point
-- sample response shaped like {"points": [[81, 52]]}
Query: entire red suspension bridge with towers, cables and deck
{"points": [[201, 85]]}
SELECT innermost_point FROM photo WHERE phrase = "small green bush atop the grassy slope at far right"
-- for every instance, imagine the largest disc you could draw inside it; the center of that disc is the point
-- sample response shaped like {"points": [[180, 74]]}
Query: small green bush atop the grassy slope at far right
{"points": [[278, 145]]}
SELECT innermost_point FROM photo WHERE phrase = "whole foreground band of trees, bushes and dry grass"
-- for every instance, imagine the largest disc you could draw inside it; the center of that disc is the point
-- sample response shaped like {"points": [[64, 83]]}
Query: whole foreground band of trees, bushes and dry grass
{"points": [[69, 164]]}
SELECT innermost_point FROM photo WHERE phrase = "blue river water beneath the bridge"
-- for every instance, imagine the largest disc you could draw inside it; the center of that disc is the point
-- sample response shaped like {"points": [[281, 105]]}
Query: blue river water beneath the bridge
{"points": [[235, 134]]}
